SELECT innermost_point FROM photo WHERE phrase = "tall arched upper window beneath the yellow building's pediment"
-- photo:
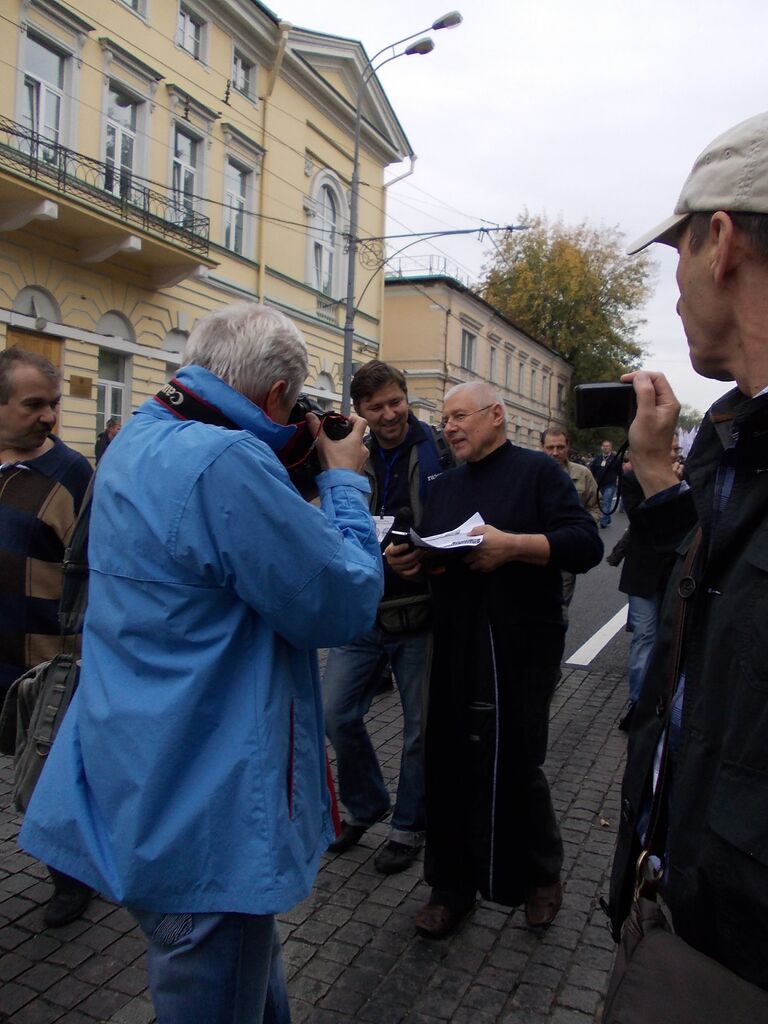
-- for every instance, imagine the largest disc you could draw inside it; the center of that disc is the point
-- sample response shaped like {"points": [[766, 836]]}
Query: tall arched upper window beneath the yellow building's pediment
{"points": [[327, 207]]}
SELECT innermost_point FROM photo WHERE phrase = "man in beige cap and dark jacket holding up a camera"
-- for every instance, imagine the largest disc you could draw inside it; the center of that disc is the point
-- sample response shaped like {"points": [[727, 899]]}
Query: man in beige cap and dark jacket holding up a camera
{"points": [[711, 711]]}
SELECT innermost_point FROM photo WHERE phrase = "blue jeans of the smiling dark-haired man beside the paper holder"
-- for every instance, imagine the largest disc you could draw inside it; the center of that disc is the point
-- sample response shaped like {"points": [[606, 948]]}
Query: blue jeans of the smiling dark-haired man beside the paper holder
{"points": [[350, 685]]}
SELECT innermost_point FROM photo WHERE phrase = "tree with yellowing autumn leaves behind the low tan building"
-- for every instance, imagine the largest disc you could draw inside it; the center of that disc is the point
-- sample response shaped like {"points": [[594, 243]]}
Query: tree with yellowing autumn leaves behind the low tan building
{"points": [[574, 289]]}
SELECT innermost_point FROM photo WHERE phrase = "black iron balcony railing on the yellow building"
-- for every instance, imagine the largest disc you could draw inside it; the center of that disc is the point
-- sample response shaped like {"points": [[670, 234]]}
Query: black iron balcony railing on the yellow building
{"points": [[106, 187]]}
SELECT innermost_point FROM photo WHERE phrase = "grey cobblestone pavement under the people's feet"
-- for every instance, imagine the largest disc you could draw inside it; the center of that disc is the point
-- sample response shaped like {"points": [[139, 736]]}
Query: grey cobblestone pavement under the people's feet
{"points": [[351, 949]]}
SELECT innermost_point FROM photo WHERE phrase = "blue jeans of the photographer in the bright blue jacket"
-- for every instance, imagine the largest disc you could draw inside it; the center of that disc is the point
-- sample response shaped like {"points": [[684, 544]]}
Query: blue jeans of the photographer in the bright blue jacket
{"points": [[216, 968]]}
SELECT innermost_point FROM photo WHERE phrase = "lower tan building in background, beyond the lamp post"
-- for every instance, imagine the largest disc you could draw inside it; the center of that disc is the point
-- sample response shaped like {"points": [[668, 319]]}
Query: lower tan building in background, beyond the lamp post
{"points": [[441, 334]]}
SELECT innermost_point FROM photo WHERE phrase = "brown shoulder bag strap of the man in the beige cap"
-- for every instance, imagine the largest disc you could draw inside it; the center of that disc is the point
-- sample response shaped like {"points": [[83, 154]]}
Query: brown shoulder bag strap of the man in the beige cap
{"points": [[647, 877]]}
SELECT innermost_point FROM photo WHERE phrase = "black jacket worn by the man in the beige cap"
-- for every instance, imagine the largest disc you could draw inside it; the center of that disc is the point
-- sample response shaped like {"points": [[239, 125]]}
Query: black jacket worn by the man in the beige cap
{"points": [[717, 883]]}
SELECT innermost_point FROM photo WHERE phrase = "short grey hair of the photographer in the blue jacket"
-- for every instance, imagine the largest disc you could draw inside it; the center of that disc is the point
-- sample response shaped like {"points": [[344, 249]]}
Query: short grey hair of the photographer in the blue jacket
{"points": [[250, 348]]}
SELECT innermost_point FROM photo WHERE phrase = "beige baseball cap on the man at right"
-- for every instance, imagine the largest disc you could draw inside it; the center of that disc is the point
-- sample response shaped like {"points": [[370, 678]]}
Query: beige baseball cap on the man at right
{"points": [[732, 175]]}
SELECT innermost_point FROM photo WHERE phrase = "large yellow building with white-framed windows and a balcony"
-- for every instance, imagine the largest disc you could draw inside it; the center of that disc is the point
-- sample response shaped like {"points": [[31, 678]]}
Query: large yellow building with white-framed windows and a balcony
{"points": [[163, 158]]}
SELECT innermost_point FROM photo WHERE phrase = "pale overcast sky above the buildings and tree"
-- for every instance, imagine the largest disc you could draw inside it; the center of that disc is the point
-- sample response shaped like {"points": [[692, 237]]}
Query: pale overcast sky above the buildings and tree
{"points": [[587, 111]]}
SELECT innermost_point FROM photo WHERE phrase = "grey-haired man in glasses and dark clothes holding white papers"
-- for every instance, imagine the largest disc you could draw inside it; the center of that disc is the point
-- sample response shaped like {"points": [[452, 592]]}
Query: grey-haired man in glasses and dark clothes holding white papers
{"points": [[498, 645]]}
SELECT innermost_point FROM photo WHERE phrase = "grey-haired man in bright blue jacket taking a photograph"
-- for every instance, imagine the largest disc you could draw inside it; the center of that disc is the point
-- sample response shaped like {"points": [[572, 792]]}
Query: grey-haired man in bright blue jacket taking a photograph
{"points": [[188, 781]]}
